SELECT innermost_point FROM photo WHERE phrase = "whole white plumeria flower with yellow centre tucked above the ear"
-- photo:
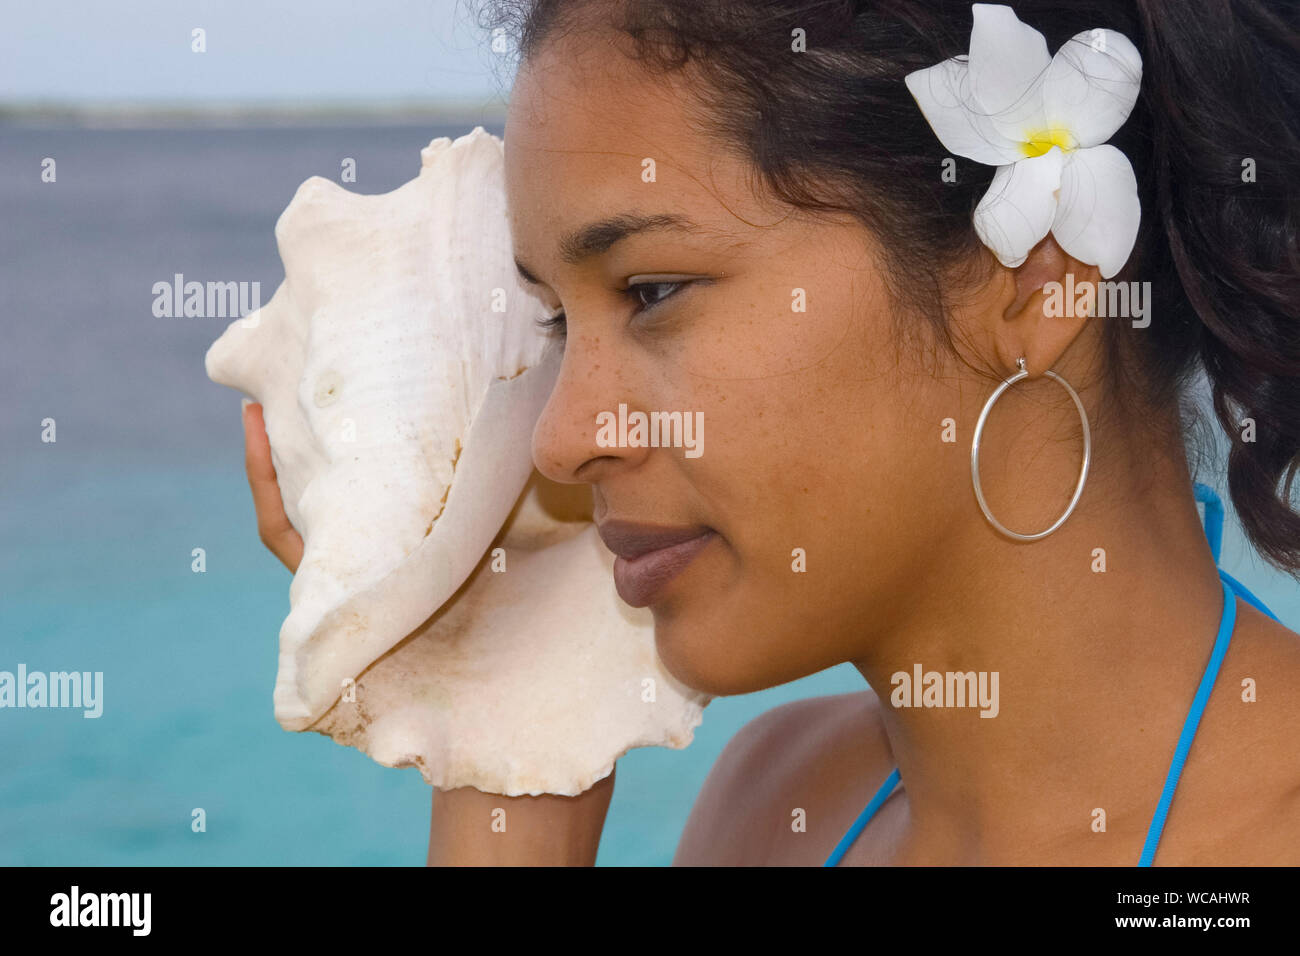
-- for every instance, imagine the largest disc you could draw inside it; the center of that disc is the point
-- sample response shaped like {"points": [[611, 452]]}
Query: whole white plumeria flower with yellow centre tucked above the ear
{"points": [[1043, 122]]}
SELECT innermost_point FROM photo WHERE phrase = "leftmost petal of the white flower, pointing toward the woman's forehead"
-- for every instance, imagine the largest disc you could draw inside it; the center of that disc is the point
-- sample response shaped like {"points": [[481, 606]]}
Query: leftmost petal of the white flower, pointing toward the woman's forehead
{"points": [[946, 101]]}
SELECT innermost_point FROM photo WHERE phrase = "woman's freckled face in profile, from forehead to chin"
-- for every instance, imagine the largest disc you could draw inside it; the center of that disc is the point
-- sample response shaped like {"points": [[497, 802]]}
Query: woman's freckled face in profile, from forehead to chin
{"points": [[820, 436]]}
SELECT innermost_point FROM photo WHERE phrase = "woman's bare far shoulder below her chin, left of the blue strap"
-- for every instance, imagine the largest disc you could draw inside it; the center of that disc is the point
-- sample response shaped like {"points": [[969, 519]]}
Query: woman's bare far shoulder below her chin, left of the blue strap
{"points": [[787, 784]]}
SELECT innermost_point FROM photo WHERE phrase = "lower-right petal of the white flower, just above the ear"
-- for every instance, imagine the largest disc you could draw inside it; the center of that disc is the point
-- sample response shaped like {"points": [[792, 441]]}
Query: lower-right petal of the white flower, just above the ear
{"points": [[1099, 210]]}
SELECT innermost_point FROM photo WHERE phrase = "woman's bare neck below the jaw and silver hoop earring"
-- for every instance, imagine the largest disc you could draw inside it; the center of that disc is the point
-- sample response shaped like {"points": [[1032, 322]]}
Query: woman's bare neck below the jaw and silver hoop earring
{"points": [[1095, 672]]}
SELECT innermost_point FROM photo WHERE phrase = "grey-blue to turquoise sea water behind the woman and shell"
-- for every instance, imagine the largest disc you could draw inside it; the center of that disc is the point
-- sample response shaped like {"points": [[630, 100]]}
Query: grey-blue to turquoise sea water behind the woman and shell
{"points": [[97, 530]]}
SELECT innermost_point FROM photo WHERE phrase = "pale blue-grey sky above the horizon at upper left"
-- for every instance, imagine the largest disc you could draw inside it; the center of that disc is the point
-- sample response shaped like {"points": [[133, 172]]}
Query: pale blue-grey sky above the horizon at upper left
{"points": [[311, 51]]}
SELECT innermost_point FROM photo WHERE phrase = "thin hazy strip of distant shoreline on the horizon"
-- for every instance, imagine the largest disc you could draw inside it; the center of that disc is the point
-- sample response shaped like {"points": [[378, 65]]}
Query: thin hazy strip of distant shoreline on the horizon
{"points": [[188, 115]]}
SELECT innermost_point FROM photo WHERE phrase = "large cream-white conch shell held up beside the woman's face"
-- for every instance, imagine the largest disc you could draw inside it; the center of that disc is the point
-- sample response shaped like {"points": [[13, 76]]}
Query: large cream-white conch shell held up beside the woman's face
{"points": [[454, 611]]}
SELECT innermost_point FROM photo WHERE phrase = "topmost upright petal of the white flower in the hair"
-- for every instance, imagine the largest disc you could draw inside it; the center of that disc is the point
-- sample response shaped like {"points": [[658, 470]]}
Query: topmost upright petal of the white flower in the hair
{"points": [[1008, 64]]}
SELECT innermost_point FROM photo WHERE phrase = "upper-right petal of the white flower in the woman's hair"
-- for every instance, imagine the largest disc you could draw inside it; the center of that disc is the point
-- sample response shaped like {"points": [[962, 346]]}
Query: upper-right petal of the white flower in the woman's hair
{"points": [[1093, 85]]}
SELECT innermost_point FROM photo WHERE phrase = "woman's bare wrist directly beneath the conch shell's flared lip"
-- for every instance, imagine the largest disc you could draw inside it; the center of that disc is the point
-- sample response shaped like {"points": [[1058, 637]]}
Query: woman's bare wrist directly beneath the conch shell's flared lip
{"points": [[475, 829]]}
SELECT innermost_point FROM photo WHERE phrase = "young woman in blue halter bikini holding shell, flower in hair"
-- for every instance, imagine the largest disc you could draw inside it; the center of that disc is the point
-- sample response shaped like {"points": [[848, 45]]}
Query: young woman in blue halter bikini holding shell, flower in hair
{"points": [[752, 213]]}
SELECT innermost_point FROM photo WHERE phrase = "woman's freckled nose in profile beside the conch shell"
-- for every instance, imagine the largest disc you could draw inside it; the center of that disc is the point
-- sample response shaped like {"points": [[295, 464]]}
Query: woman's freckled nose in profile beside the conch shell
{"points": [[592, 380]]}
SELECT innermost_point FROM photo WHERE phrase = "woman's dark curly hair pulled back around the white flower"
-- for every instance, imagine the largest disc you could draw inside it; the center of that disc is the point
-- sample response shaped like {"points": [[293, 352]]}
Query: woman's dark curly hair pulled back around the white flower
{"points": [[837, 131]]}
